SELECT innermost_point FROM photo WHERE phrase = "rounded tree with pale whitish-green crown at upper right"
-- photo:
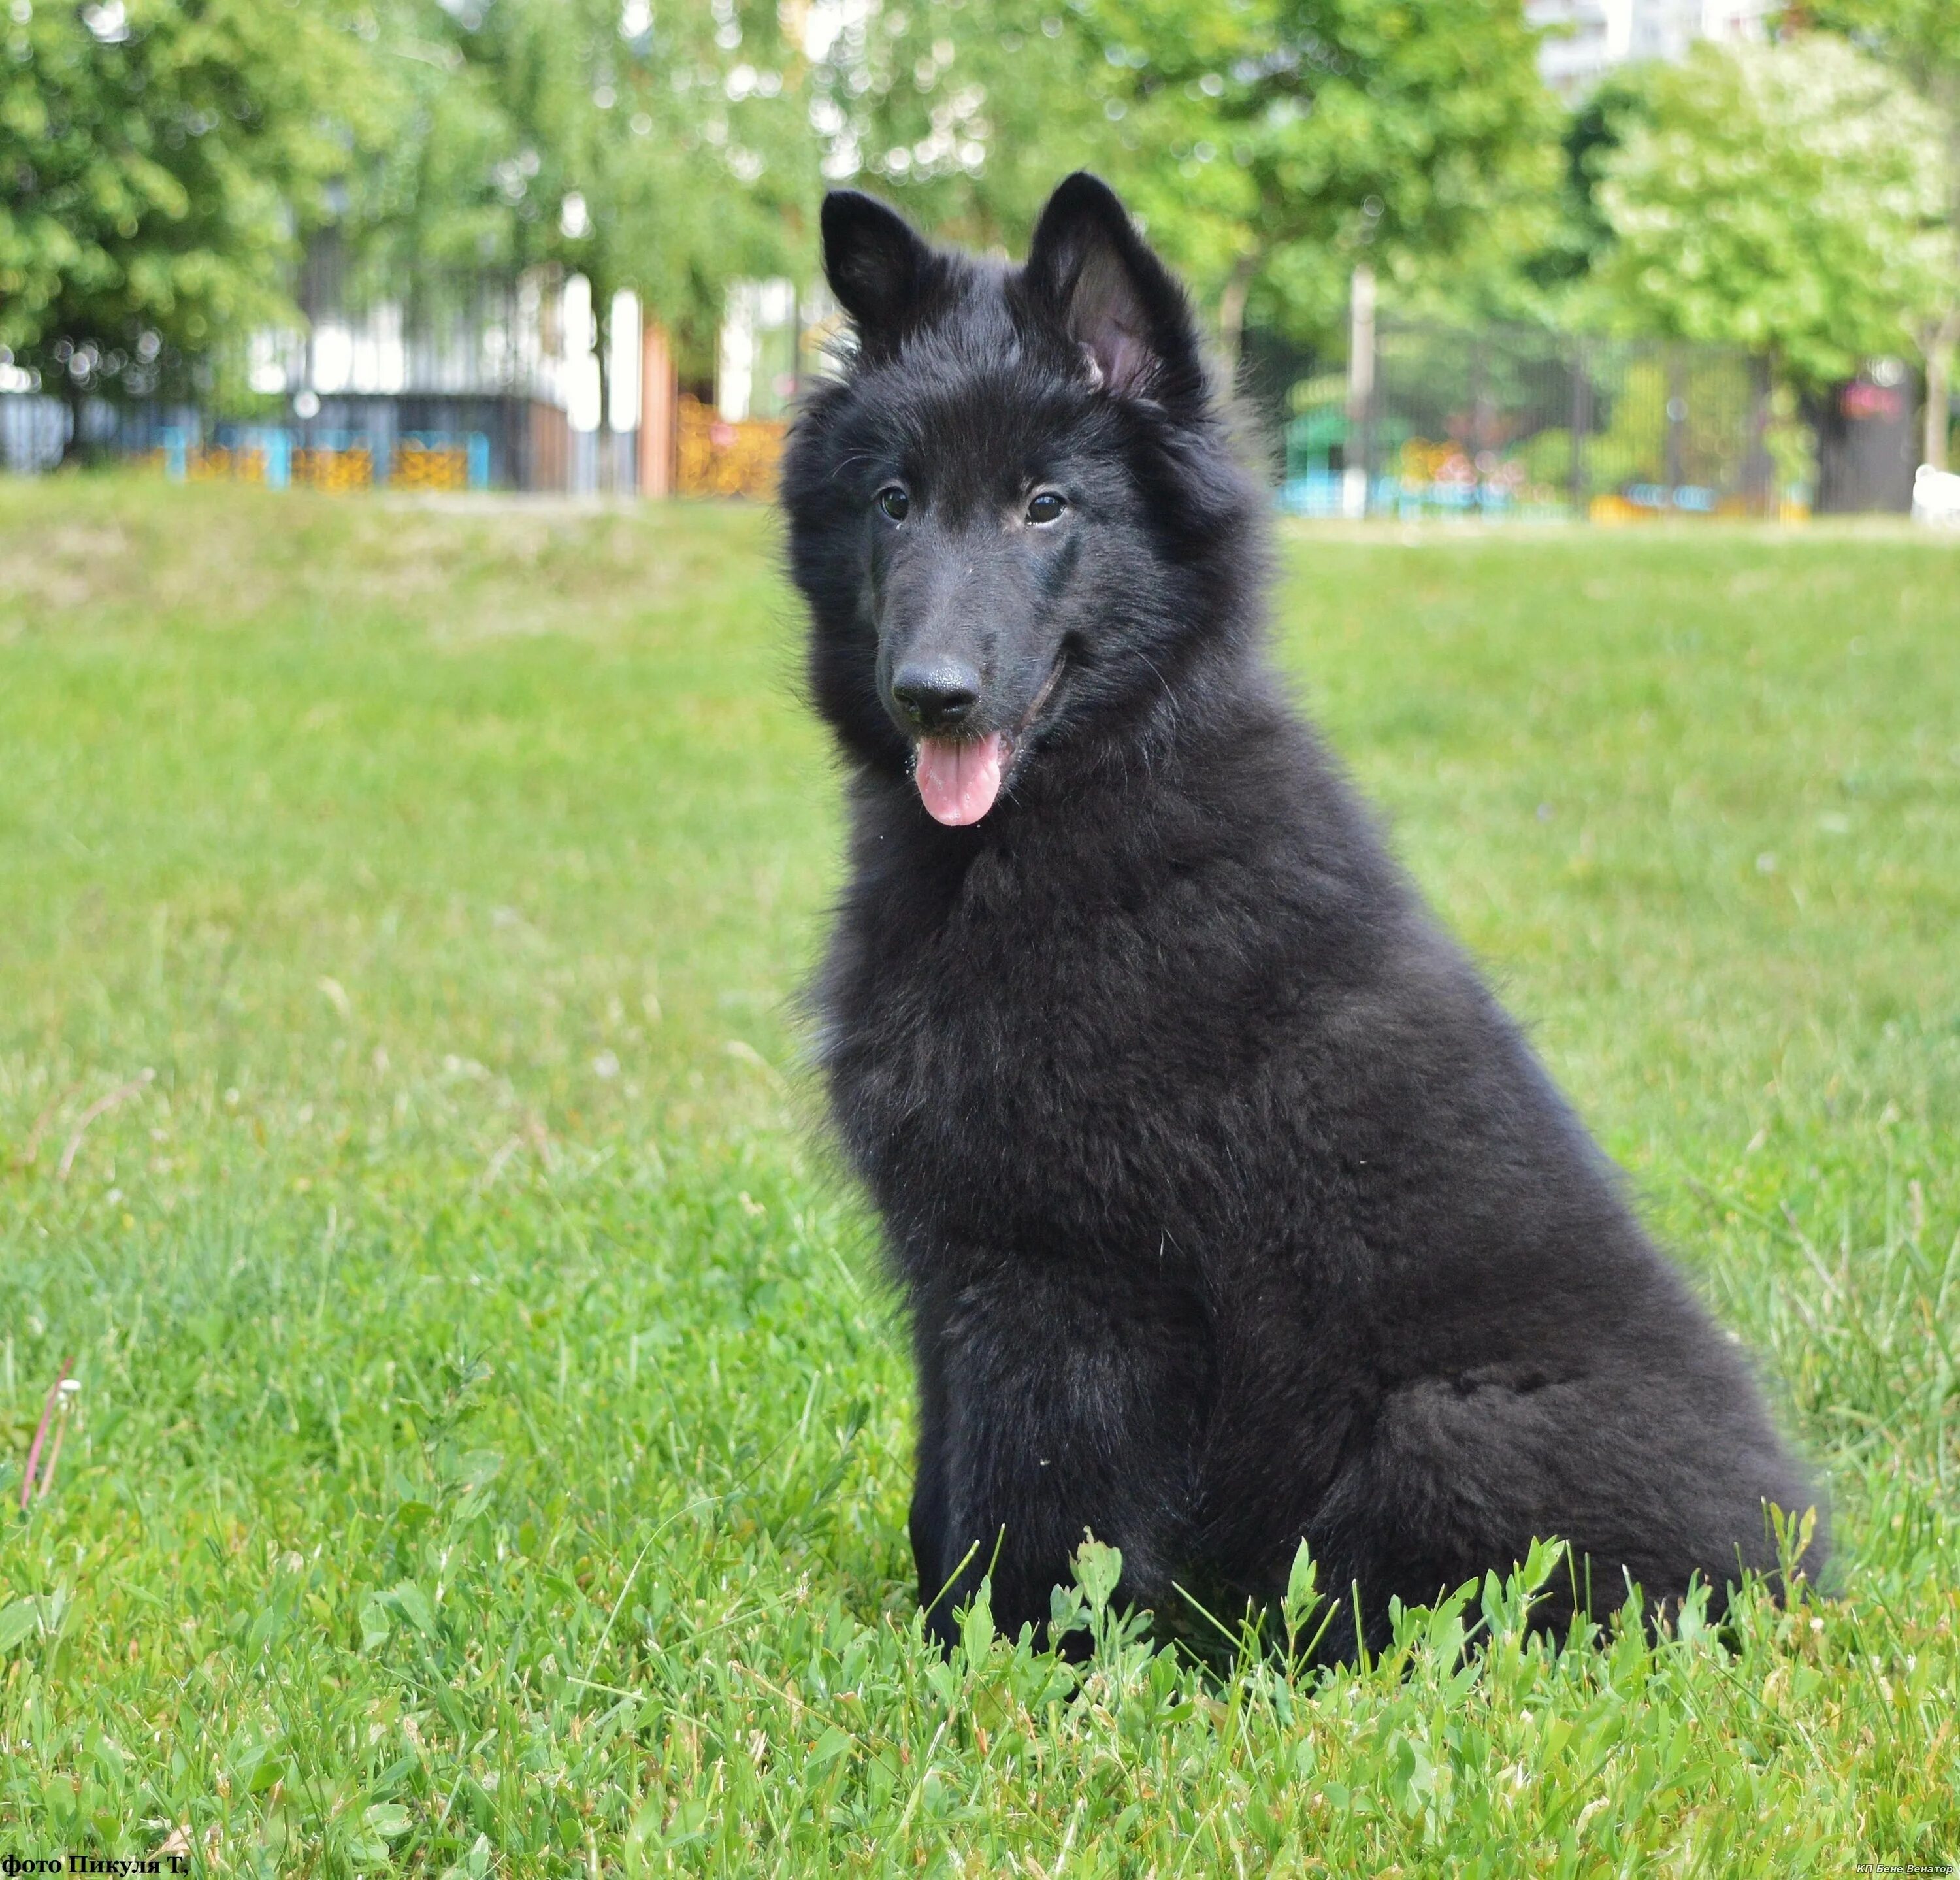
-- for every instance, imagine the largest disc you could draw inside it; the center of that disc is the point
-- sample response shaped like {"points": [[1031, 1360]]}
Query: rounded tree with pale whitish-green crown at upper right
{"points": [[1785, 199]]}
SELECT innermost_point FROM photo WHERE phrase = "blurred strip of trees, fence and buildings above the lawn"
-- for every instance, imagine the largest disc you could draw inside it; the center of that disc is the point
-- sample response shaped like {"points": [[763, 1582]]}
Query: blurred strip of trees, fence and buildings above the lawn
{"points": [[1602, 260]]}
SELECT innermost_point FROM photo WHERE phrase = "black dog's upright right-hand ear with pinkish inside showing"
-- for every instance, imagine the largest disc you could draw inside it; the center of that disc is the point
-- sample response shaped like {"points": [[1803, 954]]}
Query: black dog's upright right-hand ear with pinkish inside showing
{"points": [[1112, 295]]}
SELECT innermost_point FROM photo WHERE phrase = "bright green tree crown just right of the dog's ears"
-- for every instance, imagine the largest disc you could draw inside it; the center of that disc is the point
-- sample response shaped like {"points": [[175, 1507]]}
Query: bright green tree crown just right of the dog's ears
{"points": [[1285, 142]]}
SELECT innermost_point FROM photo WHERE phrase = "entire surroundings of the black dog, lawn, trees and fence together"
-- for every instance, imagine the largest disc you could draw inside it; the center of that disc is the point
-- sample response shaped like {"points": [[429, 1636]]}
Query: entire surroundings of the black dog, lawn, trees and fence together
{"points": [[450, 1418]]}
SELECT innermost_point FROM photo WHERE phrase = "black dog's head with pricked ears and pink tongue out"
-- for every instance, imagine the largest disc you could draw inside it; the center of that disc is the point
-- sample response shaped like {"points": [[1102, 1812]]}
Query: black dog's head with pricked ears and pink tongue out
{"points": [[1018, 503]]}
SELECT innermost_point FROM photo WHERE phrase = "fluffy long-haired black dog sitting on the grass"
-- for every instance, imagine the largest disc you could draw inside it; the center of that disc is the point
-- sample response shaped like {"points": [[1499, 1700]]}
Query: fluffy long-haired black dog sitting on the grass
{"points": [[1230, 1207]]}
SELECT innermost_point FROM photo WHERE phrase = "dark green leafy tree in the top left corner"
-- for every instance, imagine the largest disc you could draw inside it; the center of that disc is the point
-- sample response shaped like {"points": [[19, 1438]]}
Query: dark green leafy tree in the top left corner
{"points": [[158, 164]]}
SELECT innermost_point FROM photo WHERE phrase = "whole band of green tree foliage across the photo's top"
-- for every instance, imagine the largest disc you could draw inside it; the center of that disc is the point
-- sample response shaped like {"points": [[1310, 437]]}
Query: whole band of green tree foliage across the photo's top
{"points": [[162, 164]]}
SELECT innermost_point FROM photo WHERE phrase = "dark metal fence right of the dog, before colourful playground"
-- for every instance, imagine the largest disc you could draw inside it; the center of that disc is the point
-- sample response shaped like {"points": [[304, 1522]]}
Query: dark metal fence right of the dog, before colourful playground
{"points": [[1516, 422]]}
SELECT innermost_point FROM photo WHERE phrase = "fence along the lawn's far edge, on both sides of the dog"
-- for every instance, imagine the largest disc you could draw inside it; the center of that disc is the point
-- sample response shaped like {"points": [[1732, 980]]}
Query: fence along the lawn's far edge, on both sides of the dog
{"points": [[1489, 422]]}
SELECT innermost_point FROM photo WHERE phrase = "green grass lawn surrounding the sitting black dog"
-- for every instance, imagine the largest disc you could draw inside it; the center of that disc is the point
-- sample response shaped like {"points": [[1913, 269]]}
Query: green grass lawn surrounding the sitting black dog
{"points": [[491, 1450]]}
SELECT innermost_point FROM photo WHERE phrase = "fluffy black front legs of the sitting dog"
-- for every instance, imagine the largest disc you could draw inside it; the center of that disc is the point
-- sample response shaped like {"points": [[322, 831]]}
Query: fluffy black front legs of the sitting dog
{"points": [[1055, 1405]]}
